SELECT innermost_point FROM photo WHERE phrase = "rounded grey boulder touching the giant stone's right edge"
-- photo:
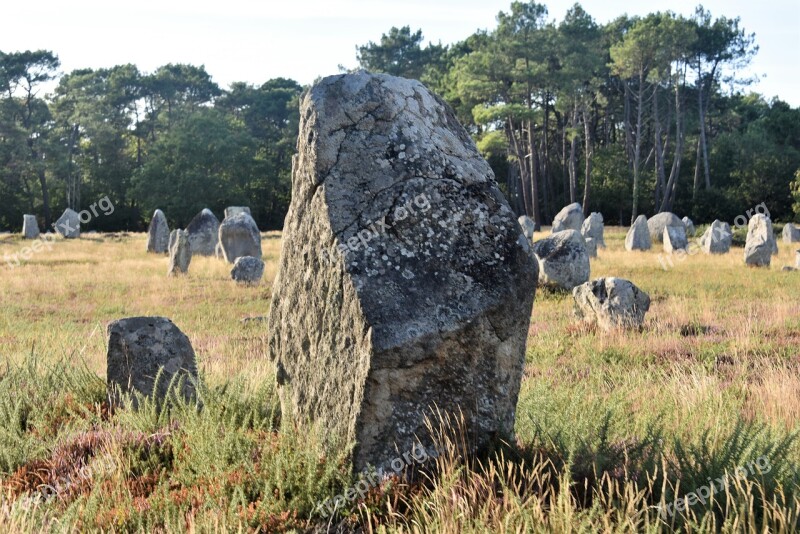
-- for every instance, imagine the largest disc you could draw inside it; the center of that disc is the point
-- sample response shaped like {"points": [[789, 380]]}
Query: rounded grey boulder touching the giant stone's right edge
{"points": [[563, 260]]}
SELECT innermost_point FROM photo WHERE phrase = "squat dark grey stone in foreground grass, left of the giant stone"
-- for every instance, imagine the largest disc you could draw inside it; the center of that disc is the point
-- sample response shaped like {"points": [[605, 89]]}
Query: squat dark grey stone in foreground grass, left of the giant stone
{"points": [[143, 348]]}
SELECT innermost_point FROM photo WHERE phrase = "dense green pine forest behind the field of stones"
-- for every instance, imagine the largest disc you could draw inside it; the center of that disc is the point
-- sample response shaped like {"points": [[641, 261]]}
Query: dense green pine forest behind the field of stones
{"points": [[641, 115]]}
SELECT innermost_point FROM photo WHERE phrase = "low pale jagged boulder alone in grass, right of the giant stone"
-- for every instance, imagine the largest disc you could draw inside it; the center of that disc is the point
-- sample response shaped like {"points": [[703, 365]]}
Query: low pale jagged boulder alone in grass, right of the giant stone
{"points": [[611, 303]]}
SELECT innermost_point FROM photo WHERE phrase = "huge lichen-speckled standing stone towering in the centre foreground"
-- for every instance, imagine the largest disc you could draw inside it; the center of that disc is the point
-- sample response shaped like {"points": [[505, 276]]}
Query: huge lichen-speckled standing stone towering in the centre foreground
{"points": [[404, 280]]}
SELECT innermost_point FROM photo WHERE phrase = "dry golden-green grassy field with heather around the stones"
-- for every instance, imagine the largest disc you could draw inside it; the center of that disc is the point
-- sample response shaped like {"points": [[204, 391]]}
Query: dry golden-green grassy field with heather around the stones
{"points": [[612, 428]]}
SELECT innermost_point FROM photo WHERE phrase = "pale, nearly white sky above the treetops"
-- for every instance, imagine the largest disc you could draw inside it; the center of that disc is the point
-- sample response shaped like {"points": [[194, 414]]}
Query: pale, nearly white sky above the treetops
{"points": [[247, 40]]}
